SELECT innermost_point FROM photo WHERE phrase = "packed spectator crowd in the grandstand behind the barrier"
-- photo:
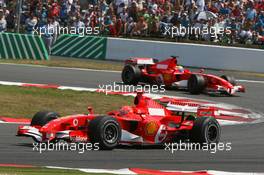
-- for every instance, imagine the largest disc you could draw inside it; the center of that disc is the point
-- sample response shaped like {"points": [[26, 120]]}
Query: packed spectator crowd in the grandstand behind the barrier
{"points": [[244, 18]]}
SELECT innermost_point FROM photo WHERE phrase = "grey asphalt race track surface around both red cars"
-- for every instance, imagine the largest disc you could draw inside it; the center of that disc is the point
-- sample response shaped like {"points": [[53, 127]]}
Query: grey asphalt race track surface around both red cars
{"points": [[247, 141]]}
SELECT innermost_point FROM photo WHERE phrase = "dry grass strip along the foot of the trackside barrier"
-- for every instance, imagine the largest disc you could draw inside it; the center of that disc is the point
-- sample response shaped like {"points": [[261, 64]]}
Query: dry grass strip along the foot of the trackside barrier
{"points": [[56, 61]]}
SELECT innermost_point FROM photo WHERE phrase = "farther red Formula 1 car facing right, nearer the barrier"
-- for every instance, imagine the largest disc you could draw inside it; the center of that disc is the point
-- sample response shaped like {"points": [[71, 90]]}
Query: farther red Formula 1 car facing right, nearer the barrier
{"points": [[169, 74]]}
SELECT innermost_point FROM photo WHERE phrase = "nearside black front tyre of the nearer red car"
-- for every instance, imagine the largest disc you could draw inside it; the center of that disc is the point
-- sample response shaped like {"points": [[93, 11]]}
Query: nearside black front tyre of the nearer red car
{"points": [[106, 131]]}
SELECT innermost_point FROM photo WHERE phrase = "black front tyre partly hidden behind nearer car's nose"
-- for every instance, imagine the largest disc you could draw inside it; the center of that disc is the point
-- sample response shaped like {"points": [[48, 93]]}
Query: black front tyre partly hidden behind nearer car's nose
{"points": [[41, 118]]}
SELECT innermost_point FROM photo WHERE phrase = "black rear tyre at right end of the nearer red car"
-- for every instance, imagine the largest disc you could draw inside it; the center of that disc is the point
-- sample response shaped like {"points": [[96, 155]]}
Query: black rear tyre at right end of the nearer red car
{"points": [[205, 130]]}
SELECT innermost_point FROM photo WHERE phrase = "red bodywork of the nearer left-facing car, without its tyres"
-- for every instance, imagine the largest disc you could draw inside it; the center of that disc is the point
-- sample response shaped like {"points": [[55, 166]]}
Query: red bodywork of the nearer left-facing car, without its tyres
{"points": [[147, 122]]}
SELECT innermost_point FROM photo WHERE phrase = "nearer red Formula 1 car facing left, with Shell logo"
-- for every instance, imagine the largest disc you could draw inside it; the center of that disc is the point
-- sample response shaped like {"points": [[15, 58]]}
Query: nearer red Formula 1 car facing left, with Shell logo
{"points": [[147, 122]]}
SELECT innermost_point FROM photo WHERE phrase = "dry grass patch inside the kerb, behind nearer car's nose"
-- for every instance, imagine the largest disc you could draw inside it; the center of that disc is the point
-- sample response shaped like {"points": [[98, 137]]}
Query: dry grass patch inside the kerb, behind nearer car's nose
{"points": [[26, 101]]}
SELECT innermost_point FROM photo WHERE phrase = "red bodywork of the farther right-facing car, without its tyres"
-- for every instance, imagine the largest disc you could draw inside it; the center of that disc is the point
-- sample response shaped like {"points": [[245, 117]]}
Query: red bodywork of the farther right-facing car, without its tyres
{"points": [[169, 73]]}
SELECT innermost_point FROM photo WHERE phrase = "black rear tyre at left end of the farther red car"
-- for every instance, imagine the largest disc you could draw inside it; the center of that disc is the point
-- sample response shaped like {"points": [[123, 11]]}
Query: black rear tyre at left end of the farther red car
{"points": [[131, 75]]}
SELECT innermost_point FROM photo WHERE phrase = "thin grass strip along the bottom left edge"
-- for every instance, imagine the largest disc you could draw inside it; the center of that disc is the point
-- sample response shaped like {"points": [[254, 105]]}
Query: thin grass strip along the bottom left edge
{"points": [[41, 171]]}
